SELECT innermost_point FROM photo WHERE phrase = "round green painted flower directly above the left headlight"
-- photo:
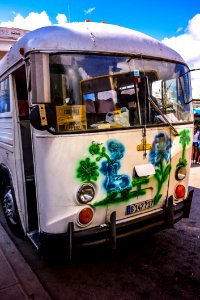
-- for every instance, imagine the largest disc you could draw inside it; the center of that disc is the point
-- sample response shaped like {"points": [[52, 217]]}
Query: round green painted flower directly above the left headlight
{"points": [[87, 170]]}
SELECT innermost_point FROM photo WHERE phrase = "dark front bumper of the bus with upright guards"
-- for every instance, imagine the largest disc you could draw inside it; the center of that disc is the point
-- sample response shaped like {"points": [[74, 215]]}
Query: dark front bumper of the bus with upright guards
{"points": [[151, 222]]}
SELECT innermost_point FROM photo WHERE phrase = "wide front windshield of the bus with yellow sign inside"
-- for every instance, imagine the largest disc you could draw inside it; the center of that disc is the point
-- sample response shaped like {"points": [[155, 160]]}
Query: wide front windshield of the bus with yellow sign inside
{"points": [[102, 91]]}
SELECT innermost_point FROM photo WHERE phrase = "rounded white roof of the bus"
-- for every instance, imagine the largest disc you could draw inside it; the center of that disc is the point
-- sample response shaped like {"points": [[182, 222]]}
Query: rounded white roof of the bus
{"points": [[88, 37]]}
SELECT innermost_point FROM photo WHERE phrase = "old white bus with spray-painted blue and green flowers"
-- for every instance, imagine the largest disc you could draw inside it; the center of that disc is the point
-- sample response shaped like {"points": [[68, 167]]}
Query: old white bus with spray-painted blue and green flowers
{"points": [[96, 127]]}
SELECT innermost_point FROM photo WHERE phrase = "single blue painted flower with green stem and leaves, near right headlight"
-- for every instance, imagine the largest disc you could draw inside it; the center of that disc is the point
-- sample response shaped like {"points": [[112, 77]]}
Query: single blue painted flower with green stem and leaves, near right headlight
{"points": [[160, 156]]}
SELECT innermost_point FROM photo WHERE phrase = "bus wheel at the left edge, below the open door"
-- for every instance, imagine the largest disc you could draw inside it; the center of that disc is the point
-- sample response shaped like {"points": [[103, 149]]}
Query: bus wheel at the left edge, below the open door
{"points": [[10, 211]]}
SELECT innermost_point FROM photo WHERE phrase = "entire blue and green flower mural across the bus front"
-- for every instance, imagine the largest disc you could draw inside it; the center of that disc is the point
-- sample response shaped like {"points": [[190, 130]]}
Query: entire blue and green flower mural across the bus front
{"points": [[106, 160]]}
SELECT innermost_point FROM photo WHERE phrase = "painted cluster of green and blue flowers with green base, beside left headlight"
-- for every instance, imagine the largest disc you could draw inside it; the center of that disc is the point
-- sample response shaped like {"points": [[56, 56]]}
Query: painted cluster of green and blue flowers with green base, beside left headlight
{"points": [[118, 187]]}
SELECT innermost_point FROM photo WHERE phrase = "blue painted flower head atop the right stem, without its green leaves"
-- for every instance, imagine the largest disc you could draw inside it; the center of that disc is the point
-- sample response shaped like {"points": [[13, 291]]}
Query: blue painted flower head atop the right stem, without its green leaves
{"points": [[160, 149]]}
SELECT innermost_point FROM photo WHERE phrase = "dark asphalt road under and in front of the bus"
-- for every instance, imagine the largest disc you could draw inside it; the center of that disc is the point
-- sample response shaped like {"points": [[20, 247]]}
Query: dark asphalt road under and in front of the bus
{"points": [[165, 265]]}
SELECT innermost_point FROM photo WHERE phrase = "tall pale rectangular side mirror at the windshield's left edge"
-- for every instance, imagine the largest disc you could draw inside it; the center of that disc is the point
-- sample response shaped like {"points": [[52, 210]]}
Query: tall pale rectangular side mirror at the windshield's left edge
{"points": [[40, 78]]}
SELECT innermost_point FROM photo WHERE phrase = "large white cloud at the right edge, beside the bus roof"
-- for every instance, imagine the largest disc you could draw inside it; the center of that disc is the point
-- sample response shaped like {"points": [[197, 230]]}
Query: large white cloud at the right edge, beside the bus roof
{"points": [[188, 43]]}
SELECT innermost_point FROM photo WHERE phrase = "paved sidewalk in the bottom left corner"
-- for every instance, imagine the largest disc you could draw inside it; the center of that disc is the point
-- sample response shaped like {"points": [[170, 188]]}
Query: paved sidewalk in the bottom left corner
{"points": [[17, 280]]}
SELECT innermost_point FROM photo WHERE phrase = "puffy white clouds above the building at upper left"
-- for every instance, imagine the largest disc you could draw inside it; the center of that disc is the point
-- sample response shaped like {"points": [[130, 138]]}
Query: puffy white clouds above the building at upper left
{"points": [[33, 21]]}
